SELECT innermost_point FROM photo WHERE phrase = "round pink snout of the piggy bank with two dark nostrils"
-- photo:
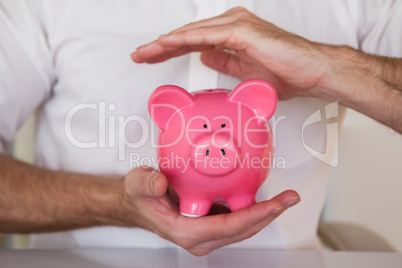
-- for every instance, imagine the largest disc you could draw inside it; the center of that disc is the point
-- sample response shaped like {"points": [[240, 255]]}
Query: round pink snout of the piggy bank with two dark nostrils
{"points": [[215, 155]]}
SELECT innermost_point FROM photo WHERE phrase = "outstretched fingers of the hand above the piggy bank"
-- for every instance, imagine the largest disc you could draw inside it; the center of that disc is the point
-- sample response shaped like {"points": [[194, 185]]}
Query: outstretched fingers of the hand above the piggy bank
{"points": [[222, 31]]}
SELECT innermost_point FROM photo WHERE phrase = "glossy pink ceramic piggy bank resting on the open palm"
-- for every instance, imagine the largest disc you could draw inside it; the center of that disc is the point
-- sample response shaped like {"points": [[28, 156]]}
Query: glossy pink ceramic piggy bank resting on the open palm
{"points": [[214, 145]]}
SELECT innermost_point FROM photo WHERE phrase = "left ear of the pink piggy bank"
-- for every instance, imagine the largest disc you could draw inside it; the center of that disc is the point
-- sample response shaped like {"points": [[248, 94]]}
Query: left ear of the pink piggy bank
{"points": [[165, 101]]}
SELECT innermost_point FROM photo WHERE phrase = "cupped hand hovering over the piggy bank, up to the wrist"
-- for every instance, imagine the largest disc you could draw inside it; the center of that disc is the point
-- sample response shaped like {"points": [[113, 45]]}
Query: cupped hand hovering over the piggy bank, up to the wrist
{"points": [[242, 45]]}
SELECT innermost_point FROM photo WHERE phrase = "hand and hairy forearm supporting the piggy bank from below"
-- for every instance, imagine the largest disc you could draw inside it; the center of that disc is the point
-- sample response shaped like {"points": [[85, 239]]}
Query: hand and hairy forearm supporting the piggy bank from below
{"points": [[37, 200]]}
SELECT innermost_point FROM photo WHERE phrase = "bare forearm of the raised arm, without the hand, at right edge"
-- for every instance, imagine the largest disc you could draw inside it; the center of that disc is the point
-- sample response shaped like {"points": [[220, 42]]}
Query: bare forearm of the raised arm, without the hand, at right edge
{"points": [[369, 84]]}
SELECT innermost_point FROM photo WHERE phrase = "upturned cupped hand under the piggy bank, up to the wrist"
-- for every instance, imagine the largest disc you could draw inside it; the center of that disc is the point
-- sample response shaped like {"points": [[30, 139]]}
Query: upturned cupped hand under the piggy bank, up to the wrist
{"points": [[154, 206]]}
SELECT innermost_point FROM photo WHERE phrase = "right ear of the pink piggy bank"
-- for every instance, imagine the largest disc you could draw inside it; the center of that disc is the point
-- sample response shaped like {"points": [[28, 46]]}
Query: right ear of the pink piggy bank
{"points": [[257, 94]]}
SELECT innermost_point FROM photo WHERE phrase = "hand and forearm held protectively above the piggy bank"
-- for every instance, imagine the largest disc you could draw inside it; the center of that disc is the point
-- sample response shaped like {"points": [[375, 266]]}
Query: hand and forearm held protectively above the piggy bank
{"points": [[240, 44]]}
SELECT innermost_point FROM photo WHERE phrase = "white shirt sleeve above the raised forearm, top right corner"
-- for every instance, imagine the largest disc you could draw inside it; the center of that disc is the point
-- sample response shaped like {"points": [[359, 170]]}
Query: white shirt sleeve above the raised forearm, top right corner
{"points": [[380, 28]]}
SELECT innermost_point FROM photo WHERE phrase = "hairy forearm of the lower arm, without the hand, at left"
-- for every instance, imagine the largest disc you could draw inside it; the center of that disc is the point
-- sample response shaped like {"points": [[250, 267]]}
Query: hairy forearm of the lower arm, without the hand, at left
{"points": [[38, 200]]}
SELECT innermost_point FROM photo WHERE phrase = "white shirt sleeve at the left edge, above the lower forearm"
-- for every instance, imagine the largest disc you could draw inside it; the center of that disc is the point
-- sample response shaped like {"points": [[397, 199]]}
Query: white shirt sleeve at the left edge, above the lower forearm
{"points": [[26, 72]]}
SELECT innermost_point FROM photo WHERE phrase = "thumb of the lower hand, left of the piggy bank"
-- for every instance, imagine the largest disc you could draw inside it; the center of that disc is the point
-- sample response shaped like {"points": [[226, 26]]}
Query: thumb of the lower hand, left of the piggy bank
{"points": [[145, 182]]}
